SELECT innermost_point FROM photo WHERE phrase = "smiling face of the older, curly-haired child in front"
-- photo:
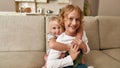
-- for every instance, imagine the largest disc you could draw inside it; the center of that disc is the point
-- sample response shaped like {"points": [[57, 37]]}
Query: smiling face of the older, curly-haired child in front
{"points": [[72, 23]]}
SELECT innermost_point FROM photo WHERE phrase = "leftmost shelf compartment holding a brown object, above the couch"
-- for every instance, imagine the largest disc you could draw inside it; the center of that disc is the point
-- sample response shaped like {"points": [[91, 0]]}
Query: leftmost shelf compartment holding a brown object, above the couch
{"points": [[21, 6]]}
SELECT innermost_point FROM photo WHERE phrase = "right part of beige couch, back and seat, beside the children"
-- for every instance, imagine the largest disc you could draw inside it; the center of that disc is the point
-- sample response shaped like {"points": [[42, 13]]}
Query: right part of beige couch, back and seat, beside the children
{"points": [[104, 40]]}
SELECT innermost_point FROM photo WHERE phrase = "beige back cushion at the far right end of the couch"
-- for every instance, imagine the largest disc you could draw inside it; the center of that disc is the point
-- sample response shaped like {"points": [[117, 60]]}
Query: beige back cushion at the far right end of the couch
{"points": [[109, 29]]}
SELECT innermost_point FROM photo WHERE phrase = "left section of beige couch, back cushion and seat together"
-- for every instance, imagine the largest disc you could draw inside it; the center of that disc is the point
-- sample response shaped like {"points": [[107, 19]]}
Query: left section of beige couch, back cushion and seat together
{"points": [[22, 41]]}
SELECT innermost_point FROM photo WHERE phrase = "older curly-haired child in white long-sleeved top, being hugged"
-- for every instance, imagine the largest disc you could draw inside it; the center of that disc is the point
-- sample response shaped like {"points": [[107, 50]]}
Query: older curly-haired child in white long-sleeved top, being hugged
{"points": [[71, 19]]}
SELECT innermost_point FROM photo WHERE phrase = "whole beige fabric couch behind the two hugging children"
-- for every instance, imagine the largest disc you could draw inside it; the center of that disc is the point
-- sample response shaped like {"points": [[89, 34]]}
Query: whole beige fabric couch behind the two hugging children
{"points": [[22, 41]]}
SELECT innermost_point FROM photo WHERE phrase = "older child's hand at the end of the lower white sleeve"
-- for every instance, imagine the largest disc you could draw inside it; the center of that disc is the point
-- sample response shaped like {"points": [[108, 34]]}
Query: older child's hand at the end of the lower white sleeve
{"points": [[74, 51]]}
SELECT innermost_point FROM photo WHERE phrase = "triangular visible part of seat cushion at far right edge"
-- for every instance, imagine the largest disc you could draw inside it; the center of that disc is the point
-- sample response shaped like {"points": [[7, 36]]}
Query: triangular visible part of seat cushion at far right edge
{"points": [[114, 53]]}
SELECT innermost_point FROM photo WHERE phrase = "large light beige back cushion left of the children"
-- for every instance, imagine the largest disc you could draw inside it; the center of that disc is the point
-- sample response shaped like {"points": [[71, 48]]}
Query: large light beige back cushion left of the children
{"points": [[20, 33]]}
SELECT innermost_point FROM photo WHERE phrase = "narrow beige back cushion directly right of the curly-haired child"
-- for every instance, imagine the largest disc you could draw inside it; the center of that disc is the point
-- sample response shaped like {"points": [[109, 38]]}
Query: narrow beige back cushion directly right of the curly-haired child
{"points": [[91, 28]]}
